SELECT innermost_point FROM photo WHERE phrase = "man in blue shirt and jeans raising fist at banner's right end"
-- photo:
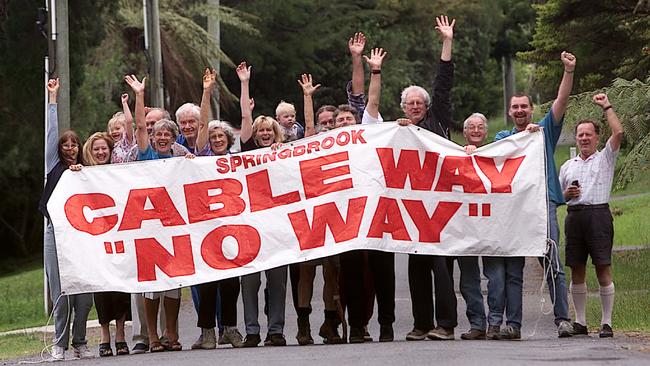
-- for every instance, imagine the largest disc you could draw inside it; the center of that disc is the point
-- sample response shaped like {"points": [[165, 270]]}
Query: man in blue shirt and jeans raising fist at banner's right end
{"points": [[505, 274]]}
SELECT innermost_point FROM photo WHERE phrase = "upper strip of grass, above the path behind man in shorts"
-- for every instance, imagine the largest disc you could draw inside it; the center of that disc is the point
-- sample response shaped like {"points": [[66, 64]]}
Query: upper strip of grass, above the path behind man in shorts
{"points": [[630, 228]]}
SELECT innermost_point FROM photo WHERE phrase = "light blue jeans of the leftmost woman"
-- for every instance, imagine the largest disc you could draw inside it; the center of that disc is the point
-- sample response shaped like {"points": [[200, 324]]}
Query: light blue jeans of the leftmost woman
{"points": [[66, 307]]}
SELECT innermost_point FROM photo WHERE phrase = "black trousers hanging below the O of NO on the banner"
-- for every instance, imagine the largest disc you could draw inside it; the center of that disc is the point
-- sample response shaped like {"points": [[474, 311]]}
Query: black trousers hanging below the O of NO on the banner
{"points": [[208, 304]]}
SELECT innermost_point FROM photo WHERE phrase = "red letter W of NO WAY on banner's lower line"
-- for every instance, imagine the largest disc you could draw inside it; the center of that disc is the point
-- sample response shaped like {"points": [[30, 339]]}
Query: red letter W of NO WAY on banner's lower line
{"points": [[328, 215]]}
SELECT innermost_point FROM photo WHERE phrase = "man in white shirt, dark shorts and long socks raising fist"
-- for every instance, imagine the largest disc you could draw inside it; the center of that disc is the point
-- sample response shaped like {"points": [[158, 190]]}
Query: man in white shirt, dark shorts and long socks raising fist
{"points": [[586, 182]]}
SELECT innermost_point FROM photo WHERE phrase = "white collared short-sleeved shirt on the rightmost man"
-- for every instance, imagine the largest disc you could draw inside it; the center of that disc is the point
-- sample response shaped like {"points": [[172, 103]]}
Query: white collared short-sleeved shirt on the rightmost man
{"points": [[594, 174]]}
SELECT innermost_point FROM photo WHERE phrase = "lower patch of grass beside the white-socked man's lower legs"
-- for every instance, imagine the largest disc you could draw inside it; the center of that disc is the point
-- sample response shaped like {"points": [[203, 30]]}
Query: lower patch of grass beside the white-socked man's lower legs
{"points": [[632, 299]]}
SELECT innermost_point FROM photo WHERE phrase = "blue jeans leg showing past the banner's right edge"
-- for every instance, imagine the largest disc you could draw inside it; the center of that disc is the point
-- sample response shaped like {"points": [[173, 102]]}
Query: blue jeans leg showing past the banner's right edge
{"points": [[556, 278]]}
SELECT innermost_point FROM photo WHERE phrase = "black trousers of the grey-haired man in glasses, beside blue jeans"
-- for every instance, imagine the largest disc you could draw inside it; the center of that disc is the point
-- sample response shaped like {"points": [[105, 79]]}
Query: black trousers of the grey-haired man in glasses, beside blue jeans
{"points": [[420, 268]]}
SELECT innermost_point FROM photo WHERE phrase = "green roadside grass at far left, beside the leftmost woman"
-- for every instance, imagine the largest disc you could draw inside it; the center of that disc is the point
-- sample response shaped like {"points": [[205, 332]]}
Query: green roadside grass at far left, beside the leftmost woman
{"points": [[21, 303]]}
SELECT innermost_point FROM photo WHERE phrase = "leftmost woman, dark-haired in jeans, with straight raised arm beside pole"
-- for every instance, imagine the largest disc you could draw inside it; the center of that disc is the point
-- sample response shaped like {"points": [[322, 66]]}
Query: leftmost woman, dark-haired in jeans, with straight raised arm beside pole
{"points": [[61, 152]]}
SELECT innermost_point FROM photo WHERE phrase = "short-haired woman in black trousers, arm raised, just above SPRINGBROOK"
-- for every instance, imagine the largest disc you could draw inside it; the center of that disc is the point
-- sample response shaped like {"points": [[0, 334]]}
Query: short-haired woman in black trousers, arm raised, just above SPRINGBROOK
{"points": [[215, 138]]}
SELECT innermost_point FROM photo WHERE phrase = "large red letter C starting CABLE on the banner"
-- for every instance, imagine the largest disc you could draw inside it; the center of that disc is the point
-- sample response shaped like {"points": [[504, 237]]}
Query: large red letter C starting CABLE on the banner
{"points": [[74, 212]]}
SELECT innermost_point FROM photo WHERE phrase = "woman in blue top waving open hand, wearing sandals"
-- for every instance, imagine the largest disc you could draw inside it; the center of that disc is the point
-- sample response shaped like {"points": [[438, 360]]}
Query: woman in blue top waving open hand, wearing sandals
{"points": [[164, 135]]}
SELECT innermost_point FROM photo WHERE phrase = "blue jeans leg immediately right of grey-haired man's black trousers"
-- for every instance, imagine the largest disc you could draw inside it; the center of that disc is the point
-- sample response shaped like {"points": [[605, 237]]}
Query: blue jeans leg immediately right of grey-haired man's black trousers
{"points": [[470, 288]]}
